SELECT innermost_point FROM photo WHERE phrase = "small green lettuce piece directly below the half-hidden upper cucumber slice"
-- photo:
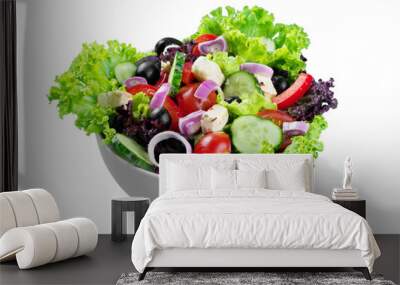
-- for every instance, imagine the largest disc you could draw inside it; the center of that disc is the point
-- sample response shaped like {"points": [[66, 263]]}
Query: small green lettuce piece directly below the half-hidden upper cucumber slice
{"points": [[250, 104]]}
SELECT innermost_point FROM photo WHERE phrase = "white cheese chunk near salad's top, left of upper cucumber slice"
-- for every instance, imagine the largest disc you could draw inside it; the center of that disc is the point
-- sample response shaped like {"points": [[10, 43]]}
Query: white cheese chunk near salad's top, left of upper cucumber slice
{"points": [[205, 69]]}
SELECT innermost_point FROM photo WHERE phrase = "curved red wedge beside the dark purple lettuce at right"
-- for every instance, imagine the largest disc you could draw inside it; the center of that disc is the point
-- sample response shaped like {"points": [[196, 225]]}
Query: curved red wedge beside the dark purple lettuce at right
{"points": [[293, 94]]}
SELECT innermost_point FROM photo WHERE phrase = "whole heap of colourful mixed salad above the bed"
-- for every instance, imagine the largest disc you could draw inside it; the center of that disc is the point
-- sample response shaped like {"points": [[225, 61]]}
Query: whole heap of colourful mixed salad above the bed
{"points": [[237, 85]]}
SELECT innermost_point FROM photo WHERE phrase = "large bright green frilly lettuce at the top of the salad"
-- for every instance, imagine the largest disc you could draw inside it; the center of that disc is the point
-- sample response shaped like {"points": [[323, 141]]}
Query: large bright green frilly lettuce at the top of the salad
{"points": [[247, 32]]}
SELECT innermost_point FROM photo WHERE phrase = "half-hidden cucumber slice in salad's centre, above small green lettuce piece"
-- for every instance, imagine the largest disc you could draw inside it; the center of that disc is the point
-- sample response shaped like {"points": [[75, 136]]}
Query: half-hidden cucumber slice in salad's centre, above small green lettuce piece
{"points": [[239, 83]]}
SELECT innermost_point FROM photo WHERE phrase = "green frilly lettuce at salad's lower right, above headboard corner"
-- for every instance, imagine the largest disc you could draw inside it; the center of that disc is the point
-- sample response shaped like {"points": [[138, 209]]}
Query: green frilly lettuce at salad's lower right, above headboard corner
{"points": [[310, 141]]}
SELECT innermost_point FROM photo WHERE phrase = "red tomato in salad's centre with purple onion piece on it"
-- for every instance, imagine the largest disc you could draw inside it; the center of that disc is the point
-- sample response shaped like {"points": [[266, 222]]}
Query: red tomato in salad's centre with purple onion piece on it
{"points": [[187, 103]]}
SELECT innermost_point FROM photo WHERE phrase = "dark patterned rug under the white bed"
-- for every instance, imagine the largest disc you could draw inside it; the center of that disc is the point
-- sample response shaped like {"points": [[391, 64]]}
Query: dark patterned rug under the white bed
{"points": [[253, 278]]}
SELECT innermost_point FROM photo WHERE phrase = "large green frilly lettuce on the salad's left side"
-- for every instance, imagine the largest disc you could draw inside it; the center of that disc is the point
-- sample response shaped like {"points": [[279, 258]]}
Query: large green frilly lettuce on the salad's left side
{"points": [[90, 74]]}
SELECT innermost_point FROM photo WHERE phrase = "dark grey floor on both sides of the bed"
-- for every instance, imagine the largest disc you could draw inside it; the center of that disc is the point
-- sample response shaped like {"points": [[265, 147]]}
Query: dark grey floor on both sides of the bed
{"points": [[110, 260]]}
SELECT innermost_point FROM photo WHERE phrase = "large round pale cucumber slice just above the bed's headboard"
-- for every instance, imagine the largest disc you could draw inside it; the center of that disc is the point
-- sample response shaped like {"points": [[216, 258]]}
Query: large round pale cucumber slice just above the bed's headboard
{"points": [[252, 134]]}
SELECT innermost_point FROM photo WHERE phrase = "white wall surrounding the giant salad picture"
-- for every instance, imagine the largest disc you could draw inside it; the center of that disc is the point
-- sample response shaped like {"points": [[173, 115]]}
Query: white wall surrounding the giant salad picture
{"points": [[356, 42]]}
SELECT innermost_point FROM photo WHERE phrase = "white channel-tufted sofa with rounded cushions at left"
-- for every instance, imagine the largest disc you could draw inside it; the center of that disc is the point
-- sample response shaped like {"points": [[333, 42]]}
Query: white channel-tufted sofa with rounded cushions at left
{"points": [[32, 233]]}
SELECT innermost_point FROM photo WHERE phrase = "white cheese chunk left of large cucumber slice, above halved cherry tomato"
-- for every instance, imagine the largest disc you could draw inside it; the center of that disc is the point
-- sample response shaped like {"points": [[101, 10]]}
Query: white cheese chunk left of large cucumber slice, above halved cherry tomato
{"points": [[215, 119]]}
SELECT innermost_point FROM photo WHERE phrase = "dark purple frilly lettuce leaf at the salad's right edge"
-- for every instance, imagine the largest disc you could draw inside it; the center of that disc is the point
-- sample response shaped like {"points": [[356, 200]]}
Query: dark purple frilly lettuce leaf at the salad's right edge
{"points": [[318, 100]]}
